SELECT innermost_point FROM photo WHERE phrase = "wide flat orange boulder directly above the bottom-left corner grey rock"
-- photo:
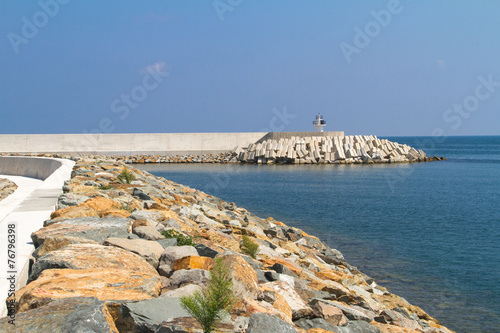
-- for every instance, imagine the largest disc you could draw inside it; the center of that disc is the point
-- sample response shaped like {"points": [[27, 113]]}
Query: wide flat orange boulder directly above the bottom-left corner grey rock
{"points": [[104, 284]]}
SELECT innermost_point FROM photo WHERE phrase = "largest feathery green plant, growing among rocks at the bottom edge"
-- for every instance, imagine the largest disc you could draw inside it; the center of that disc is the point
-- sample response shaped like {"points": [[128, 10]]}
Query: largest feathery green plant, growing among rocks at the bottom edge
{"points": [[210, 306]]}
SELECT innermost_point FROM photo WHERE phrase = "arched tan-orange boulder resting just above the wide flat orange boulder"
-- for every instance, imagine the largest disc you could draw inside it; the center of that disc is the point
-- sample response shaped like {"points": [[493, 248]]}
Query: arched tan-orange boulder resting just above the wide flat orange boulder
{"points": [[89, 256]]}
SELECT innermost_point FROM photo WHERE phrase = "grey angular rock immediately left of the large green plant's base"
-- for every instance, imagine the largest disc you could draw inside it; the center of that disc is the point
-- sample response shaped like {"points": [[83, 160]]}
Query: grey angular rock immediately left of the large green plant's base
{"points": [[148, 315]]}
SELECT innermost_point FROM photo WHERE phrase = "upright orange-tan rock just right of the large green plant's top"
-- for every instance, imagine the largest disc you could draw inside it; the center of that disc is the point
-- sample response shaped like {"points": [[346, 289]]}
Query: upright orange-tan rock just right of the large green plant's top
{"points": [[245, 280]]}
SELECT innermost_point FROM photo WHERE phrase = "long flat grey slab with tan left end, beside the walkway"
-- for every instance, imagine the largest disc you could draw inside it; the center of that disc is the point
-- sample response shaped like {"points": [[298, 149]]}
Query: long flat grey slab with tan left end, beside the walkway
{"points": [[93, 228]]}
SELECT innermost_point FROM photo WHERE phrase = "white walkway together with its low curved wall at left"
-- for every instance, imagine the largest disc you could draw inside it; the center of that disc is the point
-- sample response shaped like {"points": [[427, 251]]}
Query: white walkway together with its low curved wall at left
{"points": [[39, 182]]}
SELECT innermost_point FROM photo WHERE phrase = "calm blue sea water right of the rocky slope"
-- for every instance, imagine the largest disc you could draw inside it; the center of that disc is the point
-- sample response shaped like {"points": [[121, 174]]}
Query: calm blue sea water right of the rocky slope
{"points": [[429, 232]]}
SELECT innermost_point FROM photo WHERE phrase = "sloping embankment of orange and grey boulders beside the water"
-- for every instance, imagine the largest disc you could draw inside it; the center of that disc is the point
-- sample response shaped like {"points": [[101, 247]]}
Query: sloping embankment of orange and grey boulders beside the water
{"points": [[103, 264]]}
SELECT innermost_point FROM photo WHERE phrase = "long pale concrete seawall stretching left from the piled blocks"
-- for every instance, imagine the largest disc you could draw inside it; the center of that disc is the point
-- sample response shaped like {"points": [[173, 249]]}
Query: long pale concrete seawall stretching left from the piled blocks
{"points": [[132, 143]]}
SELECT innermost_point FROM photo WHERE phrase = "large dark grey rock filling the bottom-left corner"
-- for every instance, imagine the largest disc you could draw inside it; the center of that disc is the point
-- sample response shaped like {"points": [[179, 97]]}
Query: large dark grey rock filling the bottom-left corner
{"points": [[79, 314]]}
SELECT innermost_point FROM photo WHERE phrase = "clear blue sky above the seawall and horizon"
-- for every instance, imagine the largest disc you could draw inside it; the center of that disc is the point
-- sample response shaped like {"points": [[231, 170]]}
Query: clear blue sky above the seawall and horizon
{"points": [[383, 67]]}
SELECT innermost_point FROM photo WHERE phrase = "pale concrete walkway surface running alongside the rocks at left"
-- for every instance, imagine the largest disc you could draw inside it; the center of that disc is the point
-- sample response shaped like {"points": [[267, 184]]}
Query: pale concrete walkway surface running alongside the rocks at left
{"points": [[26, 209]]}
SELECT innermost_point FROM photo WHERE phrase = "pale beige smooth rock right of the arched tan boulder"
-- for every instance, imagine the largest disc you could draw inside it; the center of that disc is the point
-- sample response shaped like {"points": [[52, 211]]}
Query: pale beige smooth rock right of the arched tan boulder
{"points": [[149, 250]]}
